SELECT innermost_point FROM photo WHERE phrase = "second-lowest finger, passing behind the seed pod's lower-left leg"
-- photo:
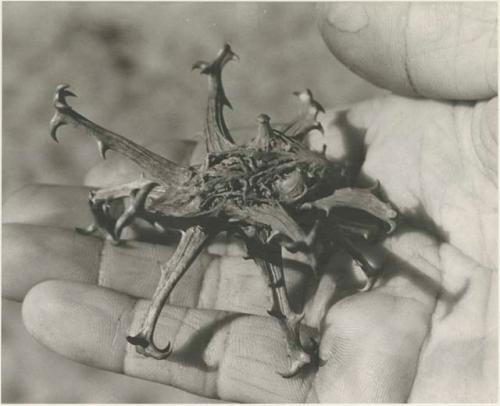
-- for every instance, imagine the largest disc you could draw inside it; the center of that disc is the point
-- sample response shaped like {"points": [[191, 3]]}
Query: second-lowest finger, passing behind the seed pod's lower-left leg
{"points": [[32, 254]]}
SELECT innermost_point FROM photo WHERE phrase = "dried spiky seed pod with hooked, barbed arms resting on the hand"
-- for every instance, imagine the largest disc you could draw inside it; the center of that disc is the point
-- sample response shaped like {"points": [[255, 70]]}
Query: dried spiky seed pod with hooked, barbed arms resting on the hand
{"points": [[266, 192]]}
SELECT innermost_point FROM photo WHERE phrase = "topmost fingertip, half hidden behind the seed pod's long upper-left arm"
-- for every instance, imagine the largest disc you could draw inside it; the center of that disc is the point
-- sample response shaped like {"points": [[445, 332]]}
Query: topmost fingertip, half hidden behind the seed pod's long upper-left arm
{"points": [[117, 169]]}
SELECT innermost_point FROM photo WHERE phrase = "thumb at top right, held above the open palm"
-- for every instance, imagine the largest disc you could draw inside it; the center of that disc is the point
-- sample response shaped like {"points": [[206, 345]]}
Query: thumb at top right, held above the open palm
{"points": [[446, 50]]}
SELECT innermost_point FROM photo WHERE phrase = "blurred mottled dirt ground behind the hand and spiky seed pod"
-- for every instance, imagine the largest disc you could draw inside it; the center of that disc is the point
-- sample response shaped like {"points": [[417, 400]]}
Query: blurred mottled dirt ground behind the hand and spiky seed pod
{"points": [[130, 64]]}
